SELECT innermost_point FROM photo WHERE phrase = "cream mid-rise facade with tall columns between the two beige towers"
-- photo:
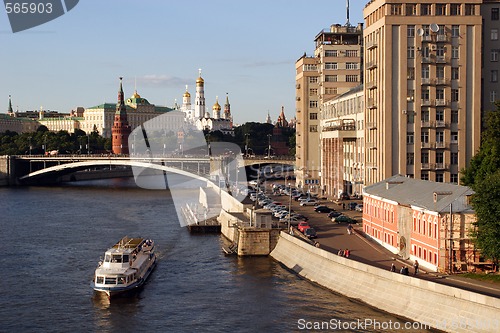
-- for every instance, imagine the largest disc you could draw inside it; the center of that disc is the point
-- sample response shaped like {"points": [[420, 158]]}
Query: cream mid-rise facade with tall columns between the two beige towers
{"points": [[342, 144]]}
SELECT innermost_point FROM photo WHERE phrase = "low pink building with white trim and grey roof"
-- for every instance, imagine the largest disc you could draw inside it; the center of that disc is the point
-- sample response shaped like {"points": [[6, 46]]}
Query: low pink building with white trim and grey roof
{"points": [[423, 220]]}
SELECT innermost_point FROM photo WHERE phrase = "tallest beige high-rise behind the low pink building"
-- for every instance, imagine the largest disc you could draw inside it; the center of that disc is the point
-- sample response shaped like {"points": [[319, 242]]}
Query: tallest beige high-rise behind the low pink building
{"points": [[422, 88]]}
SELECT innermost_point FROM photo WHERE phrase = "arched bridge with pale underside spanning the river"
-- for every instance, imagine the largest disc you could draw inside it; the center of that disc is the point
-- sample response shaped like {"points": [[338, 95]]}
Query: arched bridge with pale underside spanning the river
{"points": [[29, 169]]}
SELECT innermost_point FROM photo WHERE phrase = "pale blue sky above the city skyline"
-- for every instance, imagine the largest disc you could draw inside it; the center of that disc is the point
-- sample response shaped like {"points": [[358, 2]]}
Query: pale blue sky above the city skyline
{"points": [[246, 49]]}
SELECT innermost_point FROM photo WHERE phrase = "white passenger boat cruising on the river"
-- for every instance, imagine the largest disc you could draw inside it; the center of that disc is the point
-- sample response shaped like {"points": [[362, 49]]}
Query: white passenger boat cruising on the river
{"points": [[126, 266]]}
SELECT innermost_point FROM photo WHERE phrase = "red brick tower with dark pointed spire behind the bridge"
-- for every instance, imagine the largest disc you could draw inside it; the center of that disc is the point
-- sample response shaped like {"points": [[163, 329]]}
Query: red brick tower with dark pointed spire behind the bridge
{"points": [[121, 129]]}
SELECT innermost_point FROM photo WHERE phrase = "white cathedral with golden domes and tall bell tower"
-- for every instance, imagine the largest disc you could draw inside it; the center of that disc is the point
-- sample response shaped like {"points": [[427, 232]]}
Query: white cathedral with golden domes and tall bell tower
{"points": [[198, 115]]}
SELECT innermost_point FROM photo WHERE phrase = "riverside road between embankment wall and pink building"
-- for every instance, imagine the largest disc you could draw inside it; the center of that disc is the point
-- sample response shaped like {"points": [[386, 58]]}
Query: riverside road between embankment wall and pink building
{"points": [[333, 237]]}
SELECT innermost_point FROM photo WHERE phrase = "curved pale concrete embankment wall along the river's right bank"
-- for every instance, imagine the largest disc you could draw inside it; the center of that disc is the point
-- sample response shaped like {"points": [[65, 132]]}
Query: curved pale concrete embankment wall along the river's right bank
{"points": [[439, 306]]}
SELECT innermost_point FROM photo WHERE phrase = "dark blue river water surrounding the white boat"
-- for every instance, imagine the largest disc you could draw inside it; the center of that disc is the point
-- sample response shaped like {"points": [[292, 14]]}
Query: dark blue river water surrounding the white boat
{"points": [[51, 239]]}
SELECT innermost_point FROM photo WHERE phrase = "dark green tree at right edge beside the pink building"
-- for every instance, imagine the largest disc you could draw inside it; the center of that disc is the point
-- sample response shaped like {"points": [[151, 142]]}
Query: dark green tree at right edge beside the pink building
{"points": [[486, 203]]}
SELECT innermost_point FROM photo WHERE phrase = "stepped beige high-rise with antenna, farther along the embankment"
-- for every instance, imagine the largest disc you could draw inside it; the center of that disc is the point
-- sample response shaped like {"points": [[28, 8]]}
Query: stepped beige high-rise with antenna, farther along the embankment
{"points": [[334, 70]]}
